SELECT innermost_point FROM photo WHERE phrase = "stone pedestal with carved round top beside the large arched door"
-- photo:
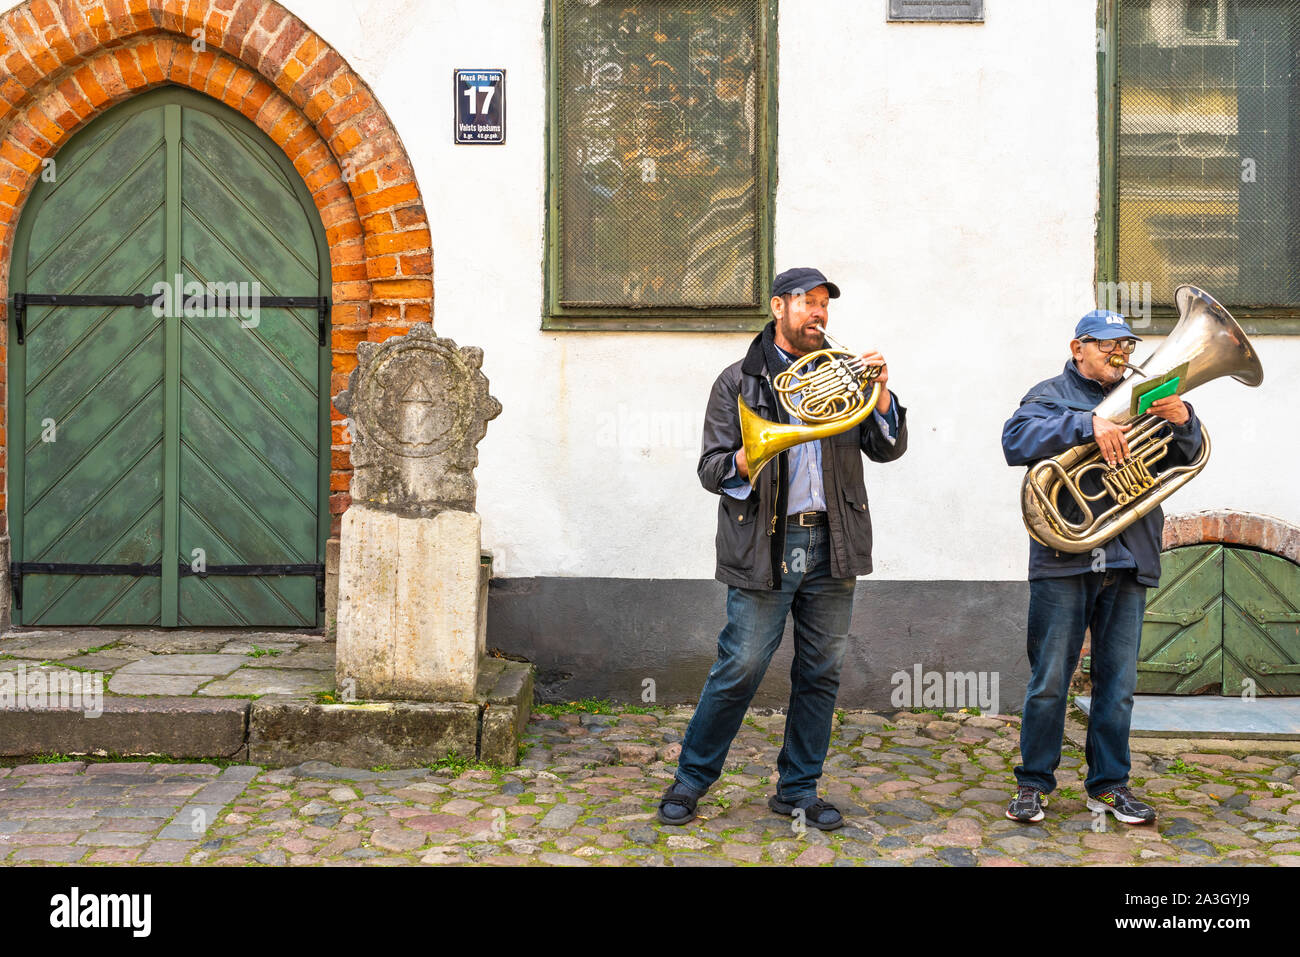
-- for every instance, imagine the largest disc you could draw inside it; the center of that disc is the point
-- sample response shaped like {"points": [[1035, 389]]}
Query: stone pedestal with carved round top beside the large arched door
{"points": [[413, 597]]}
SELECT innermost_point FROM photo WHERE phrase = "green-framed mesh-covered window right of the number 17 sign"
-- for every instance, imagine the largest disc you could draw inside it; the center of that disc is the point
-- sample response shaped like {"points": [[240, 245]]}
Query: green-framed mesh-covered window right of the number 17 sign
{"points": [[661, 164]]}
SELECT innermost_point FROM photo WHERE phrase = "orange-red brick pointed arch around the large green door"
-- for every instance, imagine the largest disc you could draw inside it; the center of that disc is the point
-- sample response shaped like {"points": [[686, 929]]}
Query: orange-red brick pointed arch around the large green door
{"points": [[66, 62]]}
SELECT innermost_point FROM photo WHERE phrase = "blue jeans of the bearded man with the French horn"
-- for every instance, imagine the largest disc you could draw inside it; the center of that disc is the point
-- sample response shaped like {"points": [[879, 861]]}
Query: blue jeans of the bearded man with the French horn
{"points": [[756, 621]]}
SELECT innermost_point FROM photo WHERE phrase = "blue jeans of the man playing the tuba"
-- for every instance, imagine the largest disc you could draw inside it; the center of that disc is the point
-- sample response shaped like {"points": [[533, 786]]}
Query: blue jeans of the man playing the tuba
{"points": [[1112, 607]]}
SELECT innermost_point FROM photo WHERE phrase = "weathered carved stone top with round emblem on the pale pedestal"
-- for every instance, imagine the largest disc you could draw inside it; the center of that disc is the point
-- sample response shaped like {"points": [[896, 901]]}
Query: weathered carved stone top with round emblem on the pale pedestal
{"points": [[418, 409]]}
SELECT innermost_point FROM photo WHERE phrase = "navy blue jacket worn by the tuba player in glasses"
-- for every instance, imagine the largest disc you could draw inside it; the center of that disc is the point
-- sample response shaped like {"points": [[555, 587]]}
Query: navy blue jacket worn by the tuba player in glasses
{"points": [[1056, 415]]}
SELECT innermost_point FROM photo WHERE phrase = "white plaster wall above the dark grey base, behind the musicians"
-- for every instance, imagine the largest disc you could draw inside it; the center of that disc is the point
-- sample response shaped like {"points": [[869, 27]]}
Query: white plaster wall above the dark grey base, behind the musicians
{"points": [[946, 176]]}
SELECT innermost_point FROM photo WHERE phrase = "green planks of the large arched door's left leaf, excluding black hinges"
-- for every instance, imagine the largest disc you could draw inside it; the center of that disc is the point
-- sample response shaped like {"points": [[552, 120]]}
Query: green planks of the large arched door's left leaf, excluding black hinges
{"points": [[86, 388]]}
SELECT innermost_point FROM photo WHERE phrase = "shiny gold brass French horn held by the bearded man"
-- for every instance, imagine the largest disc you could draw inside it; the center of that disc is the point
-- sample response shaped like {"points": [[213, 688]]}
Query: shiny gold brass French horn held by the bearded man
{"points": [[835, 399]]}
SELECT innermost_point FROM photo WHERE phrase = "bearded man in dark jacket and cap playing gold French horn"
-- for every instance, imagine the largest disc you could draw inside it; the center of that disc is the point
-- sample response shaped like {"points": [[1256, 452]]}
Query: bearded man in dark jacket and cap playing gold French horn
{"points": [[794, 534]]}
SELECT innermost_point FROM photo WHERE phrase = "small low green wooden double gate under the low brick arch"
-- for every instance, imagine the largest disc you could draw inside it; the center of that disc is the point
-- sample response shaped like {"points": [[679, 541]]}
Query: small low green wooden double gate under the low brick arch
{"points": [[1225, 621]]}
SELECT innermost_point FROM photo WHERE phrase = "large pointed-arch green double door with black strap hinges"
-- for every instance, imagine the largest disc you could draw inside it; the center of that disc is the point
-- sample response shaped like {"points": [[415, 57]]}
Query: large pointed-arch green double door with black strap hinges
{"points": [[170, 454]]}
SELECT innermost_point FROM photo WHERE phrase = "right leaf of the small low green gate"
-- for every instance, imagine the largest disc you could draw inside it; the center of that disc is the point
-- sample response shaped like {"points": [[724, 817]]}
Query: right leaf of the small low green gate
{"points": [[1262, 625]]}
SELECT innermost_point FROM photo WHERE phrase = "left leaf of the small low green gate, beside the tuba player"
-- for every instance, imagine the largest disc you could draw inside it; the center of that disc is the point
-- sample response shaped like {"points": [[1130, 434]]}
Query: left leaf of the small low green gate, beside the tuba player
{"points": [[1184, 630]]}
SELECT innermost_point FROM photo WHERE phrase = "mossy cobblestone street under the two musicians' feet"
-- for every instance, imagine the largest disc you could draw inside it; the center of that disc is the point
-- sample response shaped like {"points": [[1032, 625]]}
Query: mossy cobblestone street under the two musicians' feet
{"points": [[915, 789]]}
